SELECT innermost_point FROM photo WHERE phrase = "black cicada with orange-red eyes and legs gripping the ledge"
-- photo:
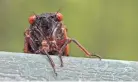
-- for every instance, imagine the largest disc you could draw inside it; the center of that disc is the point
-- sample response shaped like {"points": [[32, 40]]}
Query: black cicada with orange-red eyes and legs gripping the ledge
{"points": [[47, 35]]}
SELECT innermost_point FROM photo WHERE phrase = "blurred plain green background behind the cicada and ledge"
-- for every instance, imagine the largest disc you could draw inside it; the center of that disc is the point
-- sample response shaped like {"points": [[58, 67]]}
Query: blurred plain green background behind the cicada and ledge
{"points": [[106, 27]]}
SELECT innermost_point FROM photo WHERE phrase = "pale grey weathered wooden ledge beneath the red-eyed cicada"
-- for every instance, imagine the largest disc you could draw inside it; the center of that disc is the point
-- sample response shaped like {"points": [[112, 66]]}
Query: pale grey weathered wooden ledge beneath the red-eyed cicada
{"points": [[23, 67]]}
